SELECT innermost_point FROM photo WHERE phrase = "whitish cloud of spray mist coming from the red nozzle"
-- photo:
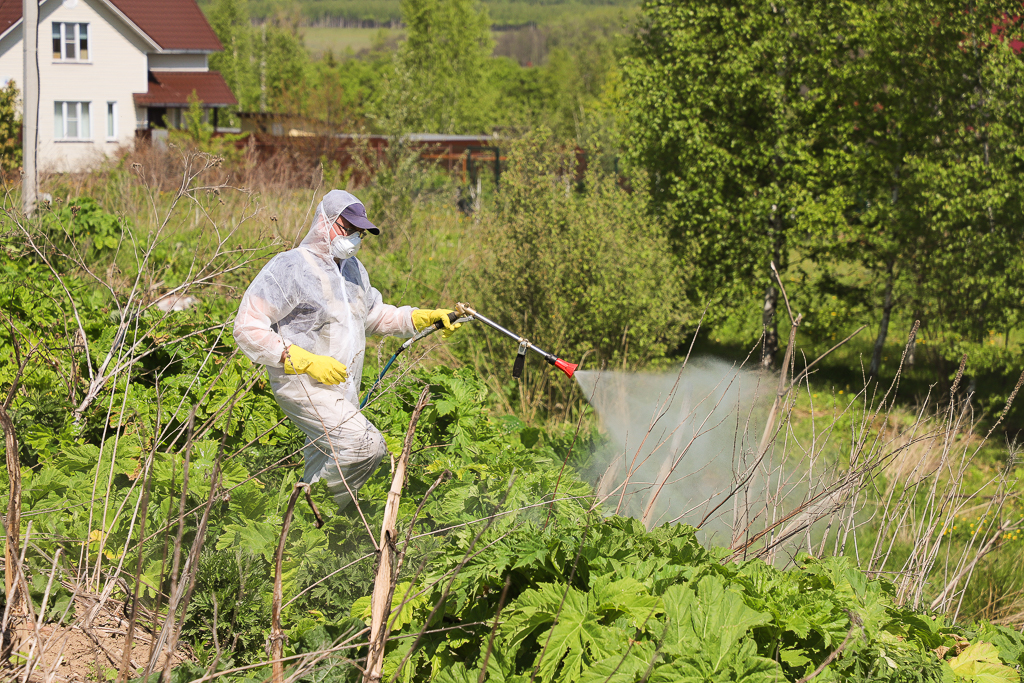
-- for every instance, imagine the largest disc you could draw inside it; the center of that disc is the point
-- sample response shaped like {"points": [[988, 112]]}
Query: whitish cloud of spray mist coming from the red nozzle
{"points": [[678, 441]]}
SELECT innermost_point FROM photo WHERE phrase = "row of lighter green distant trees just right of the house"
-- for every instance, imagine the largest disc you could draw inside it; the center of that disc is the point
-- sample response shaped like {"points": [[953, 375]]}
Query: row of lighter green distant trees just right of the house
{"points": [[441, 79]]}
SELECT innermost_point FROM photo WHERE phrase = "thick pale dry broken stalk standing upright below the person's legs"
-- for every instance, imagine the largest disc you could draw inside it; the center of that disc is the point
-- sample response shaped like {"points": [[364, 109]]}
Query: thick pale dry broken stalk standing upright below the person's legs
{"points": [[380, 606]]}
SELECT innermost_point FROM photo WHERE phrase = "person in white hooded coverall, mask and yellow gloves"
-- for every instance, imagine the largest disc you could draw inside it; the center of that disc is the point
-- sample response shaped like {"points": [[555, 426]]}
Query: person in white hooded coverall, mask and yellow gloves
{"points": [[307, 317]]}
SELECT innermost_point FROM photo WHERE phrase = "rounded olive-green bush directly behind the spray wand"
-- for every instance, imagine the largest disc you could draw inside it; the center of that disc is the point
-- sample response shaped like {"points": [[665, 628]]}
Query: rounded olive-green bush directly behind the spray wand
{"points": [[579, 270]]}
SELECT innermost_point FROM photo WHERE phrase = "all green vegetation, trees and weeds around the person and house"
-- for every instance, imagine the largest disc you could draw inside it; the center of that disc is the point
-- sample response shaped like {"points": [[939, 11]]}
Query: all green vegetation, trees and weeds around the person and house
{"points": [[762, 183]]}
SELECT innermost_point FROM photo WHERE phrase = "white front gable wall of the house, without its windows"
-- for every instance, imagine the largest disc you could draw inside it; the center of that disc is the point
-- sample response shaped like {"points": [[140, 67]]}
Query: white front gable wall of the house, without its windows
{"points": [[117, 69]]}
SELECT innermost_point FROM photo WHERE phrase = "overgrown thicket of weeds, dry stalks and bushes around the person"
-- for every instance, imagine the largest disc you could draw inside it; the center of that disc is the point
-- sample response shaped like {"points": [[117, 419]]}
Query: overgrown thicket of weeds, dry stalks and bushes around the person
{"points": [[506, 564]]}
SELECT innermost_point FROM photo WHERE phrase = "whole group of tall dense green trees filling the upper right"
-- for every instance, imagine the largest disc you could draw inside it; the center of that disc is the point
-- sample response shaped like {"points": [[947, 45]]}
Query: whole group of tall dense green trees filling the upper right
{"points": [[873, 149]]}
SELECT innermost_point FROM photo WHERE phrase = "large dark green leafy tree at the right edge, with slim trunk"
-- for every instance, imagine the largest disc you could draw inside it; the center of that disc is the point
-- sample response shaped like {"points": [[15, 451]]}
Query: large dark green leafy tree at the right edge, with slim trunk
{"points": [[929, 136]]}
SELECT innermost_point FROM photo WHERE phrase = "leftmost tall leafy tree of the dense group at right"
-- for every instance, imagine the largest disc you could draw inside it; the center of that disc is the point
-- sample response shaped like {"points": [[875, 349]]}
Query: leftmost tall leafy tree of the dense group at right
{"points": [[722, 103]]}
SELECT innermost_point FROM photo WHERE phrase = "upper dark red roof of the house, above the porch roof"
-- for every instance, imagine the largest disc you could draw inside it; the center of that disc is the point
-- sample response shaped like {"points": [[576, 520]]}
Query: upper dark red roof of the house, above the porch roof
{"points": [[175, 25]]}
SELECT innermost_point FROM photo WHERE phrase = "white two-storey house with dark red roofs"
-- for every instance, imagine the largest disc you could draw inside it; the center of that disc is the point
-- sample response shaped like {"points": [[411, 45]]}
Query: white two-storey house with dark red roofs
{"points": [[109, 69]]}
